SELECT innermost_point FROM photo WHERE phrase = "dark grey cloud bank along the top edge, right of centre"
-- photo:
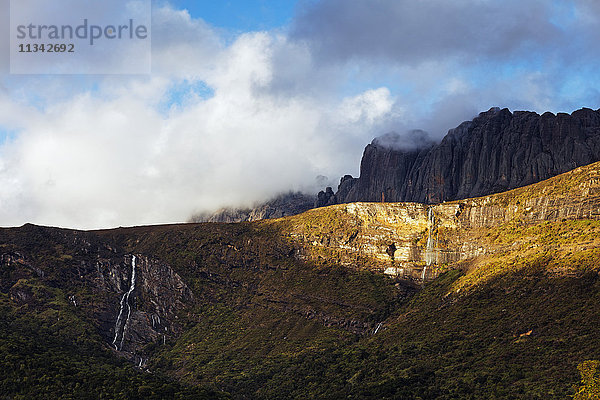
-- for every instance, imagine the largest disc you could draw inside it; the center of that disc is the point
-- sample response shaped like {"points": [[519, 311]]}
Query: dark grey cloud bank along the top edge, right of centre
{"points": [[409, 32]]}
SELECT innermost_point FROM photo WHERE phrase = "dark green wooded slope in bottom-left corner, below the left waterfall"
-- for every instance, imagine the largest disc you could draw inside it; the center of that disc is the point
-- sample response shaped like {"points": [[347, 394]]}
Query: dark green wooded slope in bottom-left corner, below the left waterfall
{"points": [[48, 351]]}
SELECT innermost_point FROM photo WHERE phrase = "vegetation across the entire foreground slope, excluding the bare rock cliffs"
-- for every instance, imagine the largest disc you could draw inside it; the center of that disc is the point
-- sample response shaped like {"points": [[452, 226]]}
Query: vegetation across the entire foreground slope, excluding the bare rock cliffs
{"points": [[268, 325]]}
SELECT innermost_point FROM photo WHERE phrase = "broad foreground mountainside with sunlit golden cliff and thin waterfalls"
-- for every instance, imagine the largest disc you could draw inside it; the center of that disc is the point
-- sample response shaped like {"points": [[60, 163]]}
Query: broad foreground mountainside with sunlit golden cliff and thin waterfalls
{"points": [[490, 297]]}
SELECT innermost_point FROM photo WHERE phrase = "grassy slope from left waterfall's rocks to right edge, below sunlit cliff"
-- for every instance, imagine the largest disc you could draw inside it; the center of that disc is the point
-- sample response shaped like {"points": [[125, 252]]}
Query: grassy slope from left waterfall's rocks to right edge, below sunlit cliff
{"points": [[517, 328]]}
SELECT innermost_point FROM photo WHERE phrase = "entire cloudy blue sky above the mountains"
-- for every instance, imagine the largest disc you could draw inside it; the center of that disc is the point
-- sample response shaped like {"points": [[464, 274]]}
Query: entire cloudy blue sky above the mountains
{"points": [[247, 99]]}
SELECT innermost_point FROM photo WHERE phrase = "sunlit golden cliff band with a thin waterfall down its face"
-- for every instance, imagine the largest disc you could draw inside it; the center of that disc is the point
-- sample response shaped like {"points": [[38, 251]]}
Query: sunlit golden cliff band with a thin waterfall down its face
{"points": [[416, 241]]}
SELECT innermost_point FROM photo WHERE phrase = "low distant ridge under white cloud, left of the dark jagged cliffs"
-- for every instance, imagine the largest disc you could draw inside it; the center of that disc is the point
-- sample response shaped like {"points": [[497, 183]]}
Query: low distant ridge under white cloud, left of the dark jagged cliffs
{"points": [[283, 205]]}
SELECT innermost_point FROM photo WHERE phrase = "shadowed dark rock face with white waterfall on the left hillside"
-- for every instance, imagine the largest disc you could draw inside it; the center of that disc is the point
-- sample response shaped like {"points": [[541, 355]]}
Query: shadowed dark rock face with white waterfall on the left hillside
{"points": [[131, 299]]}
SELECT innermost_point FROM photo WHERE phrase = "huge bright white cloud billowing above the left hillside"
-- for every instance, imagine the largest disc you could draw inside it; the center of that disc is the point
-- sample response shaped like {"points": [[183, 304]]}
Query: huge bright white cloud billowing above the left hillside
{"points": [[111, 157]]}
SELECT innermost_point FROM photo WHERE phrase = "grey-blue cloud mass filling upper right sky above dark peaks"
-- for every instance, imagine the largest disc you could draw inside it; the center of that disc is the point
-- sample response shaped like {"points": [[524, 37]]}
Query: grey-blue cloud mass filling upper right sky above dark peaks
{"points": [[529, 54]]}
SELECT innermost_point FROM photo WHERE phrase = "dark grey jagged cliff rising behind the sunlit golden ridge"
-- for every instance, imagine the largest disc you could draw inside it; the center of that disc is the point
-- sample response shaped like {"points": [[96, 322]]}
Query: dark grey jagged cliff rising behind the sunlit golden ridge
{"points": [[495, 152]]}
